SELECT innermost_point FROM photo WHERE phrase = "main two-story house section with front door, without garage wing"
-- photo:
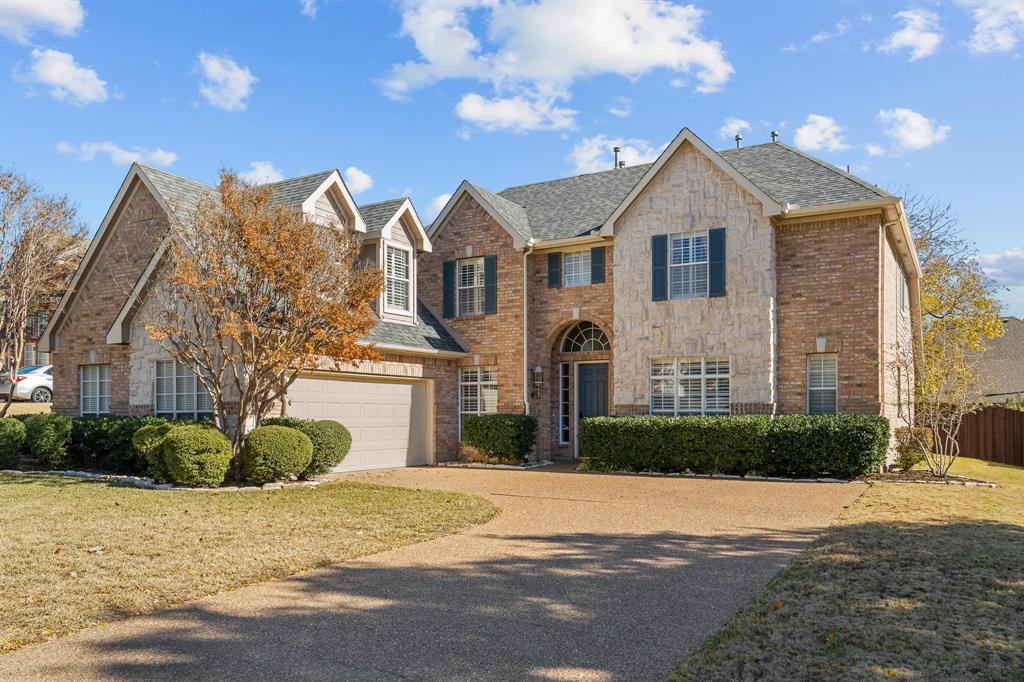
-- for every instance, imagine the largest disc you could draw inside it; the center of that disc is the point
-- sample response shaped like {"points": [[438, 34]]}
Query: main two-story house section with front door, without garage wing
{"points": [[750, 281]]}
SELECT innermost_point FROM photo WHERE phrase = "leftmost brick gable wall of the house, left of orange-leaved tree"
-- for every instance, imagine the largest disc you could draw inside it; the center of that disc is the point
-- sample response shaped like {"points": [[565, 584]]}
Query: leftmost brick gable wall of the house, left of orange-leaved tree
{"points": [[81, 339]]}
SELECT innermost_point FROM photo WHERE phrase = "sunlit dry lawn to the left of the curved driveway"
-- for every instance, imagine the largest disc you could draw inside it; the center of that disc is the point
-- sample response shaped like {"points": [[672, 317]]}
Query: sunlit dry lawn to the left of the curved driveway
{"points": [[76, 553]]}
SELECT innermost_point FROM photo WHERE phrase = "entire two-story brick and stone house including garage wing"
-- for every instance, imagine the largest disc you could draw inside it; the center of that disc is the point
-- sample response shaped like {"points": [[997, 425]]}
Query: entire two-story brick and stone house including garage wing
{"points": [[751, 281]]}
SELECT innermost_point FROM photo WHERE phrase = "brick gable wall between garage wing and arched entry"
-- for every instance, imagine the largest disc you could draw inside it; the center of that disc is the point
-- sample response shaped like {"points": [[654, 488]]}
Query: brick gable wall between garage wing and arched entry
{"points": [[492, 340]]}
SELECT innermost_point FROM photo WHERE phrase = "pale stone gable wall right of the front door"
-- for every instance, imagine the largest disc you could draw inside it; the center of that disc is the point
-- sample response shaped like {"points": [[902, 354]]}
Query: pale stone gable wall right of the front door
{"points": [[692, 194]]}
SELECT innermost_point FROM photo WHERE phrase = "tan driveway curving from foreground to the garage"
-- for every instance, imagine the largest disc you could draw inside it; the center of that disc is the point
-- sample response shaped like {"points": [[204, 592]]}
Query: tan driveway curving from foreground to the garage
{"points": [[581, 578]]}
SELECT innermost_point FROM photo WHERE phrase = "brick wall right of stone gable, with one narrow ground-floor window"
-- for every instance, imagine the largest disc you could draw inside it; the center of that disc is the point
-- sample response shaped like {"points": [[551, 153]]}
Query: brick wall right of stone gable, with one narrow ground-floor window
{"points": [[829, 286]]}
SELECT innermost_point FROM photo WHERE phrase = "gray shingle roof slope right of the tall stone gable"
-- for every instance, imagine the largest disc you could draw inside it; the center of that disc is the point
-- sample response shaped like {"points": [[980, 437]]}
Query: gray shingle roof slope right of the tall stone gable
{"points": [[790, 177]]}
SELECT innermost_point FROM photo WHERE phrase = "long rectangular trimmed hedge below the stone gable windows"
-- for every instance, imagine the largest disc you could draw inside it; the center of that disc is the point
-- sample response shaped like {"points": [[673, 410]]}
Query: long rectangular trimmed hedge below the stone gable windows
{"points": [[796, 446]]}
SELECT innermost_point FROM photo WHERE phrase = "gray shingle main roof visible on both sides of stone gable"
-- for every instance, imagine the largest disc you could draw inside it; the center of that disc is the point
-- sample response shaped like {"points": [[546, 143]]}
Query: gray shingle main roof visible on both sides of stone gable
{"points": [[575, 206]]}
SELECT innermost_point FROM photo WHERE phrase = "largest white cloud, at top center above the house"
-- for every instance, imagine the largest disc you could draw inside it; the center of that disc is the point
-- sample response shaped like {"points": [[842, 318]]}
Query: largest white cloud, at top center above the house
{"points": [[537, 51]]}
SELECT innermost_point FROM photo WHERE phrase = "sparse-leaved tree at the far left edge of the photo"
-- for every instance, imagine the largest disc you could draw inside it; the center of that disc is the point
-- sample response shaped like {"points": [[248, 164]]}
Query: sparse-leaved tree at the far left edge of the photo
{"points": [[40, 247]]}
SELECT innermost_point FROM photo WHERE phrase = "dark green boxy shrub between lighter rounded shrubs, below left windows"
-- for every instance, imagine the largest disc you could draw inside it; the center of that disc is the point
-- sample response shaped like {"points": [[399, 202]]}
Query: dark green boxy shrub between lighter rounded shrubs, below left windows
{"points": [[106, 444]]}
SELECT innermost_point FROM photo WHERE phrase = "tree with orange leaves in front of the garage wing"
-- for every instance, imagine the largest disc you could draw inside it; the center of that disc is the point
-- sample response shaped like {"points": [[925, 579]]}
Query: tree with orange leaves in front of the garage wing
{"points": [[250, 294]]}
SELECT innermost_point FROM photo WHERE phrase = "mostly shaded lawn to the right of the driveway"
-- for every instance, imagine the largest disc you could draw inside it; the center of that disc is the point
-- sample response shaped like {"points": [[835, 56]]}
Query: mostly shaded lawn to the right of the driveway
{"points": [[914, 582]]}
